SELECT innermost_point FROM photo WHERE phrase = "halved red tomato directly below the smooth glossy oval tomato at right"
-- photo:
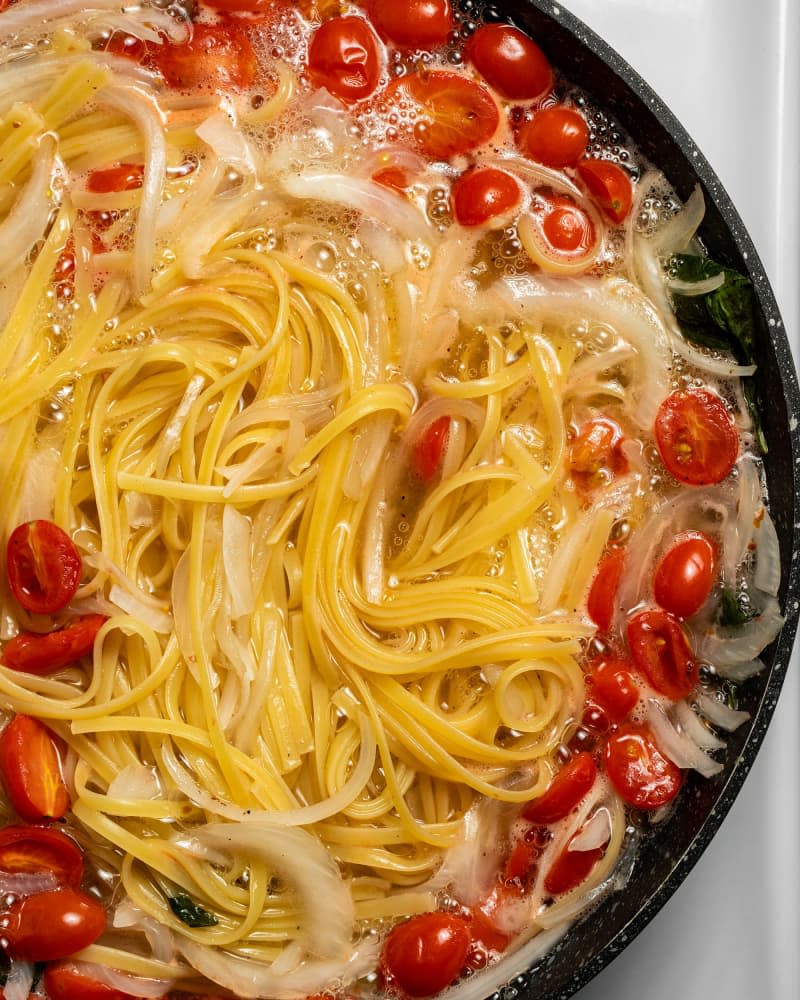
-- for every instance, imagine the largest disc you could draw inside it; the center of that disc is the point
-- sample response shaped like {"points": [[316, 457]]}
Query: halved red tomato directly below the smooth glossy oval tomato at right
{"points": [[661, 653]]}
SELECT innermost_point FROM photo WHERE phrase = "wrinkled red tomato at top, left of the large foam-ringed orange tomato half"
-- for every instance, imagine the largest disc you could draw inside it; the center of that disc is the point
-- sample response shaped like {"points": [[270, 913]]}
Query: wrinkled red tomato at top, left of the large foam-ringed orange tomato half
{"points": [[345, 57]]}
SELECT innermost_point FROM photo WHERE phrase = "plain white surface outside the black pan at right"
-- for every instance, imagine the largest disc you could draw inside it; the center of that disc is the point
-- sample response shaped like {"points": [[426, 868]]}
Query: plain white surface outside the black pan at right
{"points": [[729, 70]]}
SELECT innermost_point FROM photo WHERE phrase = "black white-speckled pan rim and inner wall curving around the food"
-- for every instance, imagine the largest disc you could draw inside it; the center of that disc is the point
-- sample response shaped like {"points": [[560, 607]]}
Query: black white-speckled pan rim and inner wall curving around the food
{"points": [[665, 861]]}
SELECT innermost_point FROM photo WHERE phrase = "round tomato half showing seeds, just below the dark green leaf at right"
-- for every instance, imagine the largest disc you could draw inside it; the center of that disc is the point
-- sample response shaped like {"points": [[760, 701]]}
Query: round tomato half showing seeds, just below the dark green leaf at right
{"points": [[696, 437]]}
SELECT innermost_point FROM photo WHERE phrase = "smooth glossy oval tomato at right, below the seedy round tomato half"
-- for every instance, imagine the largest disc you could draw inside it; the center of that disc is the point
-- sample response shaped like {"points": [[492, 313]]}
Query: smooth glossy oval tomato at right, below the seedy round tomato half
{"points": [[685, 574]]}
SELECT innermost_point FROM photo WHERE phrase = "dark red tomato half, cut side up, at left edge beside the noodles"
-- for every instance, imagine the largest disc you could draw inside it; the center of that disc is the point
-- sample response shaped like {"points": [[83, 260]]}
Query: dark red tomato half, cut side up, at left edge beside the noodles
{"points": [[43, 566]]}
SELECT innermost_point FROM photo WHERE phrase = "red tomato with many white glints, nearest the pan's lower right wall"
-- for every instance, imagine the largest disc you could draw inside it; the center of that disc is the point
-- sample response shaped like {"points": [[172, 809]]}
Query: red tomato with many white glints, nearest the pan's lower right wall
{"points": [[642, 775]]}
